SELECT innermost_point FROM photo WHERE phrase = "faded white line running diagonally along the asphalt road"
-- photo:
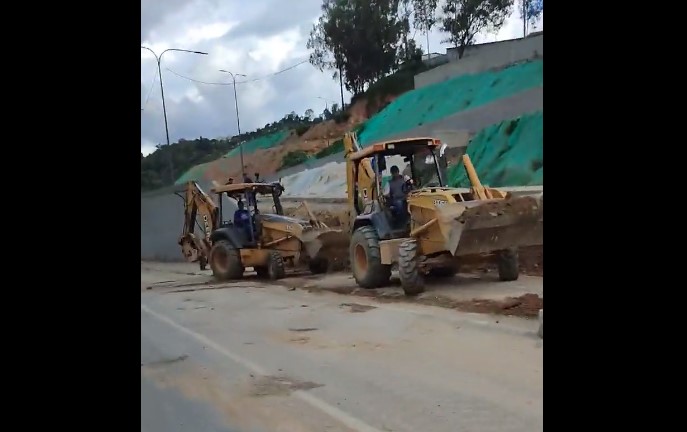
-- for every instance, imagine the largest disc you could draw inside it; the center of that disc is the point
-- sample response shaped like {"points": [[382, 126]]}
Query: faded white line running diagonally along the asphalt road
{"points": [[317, 403]]}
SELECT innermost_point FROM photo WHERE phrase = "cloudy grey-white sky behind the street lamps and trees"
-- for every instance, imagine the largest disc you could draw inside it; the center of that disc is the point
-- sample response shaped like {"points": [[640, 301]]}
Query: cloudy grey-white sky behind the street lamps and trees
{"points": [[257, 38]]}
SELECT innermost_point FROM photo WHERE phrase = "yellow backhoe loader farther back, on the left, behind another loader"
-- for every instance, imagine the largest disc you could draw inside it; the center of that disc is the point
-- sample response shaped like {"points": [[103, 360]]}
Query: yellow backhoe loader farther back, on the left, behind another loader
{"points": [[263, 241]]}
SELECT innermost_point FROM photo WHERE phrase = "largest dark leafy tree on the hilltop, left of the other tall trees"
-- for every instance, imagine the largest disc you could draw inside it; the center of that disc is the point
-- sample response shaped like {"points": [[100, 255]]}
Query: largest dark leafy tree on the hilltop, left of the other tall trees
{"points": [[356, 38]]}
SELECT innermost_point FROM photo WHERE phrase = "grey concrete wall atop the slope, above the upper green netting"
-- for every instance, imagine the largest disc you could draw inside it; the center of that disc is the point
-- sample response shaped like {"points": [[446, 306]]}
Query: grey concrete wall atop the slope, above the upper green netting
{"points": [[483, 57]]}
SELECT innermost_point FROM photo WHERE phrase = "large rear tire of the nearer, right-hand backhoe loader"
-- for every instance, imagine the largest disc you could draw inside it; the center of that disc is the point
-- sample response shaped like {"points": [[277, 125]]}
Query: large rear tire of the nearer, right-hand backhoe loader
{"points": [[366, 259]]}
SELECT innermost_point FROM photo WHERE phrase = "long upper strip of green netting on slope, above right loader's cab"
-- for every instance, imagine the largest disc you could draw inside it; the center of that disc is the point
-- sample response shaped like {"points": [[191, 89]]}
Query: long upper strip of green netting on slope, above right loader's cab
{"points": [[434, 102]]}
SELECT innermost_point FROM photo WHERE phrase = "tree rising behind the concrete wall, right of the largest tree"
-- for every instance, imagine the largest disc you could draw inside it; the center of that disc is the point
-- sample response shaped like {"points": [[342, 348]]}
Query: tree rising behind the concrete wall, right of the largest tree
{"points": [[464, 19]]}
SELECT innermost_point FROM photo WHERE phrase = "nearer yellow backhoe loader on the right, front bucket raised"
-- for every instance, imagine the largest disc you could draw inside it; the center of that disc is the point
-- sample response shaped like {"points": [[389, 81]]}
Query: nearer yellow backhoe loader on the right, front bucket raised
{"points": [[423, 227]]}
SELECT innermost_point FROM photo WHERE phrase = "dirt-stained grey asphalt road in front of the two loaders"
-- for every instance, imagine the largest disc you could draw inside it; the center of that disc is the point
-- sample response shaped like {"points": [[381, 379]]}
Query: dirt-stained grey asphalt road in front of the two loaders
{"points": [[248, 357]]}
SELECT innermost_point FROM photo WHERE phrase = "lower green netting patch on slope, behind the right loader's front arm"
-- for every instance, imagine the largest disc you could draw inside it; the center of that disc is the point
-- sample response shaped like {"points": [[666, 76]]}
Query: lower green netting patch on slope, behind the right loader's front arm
{"points": [[509, 153]]}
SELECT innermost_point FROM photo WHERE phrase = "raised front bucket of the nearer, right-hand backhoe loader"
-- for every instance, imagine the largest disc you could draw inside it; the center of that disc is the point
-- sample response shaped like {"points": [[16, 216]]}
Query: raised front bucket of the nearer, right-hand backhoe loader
{"points": [[486, 226]]}
